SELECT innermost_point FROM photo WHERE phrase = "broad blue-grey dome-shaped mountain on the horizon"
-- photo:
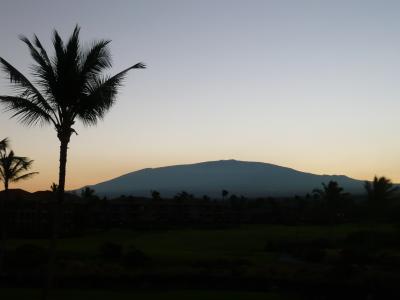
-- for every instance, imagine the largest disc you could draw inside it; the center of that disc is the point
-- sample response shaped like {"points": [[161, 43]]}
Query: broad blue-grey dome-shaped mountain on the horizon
{"points": [[250, 179]]}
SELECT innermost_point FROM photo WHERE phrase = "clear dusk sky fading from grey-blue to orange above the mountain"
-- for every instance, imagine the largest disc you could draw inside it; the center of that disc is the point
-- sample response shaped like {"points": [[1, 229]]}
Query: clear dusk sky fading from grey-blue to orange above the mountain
{"points": [[311, 85]]}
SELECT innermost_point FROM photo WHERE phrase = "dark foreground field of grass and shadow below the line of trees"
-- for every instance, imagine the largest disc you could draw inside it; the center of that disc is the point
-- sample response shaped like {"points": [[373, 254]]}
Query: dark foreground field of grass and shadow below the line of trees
{"points": [[247, 262]]}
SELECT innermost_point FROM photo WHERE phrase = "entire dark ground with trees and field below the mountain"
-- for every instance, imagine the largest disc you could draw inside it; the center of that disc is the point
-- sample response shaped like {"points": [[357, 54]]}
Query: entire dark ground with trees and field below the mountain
{"points": [[317, 246]]}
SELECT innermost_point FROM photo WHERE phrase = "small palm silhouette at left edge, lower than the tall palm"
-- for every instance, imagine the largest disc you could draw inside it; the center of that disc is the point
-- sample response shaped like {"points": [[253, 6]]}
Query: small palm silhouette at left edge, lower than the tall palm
{"points": [[13, 168]]}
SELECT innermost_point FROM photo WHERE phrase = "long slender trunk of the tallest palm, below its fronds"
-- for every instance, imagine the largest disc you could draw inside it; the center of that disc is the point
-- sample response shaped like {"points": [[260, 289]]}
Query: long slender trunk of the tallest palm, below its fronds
{"points": [[57, 217]]}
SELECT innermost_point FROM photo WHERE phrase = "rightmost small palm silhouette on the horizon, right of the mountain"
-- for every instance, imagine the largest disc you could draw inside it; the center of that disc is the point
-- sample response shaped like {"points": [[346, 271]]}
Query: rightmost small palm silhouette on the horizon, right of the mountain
{"points": [[379, 190]]}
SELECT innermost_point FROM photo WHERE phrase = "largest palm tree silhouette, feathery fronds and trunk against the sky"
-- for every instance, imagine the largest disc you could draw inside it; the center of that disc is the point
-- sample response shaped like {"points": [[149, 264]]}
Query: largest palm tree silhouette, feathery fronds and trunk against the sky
{"points": [[69, 86]]}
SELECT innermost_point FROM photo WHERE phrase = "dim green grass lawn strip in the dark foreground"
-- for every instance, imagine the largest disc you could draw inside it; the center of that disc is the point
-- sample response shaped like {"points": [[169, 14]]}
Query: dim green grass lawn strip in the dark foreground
{"points": [[194, 244]]}
